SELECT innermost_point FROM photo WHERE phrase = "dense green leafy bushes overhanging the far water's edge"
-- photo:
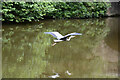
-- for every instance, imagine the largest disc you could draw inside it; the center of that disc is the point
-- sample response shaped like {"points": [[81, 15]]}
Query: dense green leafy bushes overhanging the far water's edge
{"points": [[34, 11]]}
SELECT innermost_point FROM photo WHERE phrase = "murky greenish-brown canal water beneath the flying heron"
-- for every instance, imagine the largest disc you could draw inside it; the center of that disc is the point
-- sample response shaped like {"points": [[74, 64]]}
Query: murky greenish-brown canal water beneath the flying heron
{"points": [[28, 53]]}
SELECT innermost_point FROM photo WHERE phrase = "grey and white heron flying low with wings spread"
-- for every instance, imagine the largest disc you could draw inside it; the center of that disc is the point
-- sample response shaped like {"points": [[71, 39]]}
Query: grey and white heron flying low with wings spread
{"points": [[61, 37]]}
